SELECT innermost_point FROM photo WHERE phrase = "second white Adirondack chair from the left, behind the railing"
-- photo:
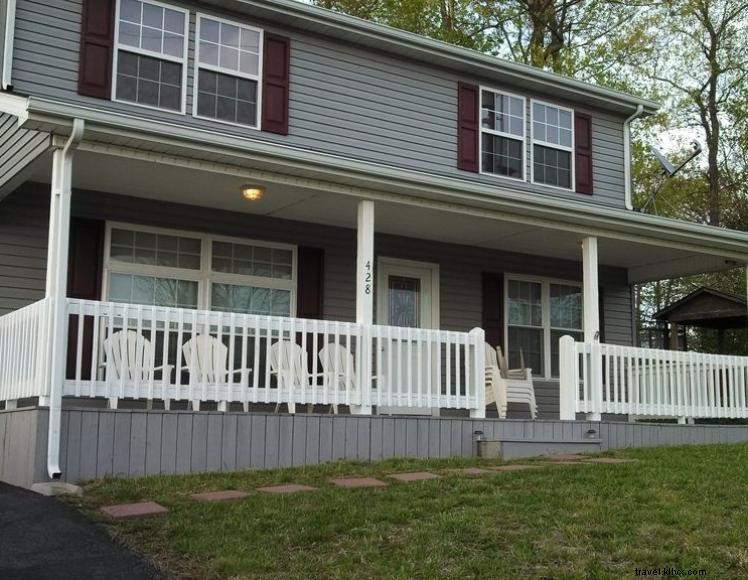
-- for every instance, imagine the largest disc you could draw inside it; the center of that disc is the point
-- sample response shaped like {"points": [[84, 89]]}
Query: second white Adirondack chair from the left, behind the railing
{"points": [[206, 359]]}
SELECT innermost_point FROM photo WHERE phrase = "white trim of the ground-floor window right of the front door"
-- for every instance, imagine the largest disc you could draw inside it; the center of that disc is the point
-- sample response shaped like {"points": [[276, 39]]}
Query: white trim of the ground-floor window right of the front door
{"points": [[545, 300]]}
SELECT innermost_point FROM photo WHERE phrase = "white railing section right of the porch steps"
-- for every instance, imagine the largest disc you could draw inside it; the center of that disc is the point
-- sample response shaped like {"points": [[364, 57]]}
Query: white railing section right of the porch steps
{"points": [[603, 378]]}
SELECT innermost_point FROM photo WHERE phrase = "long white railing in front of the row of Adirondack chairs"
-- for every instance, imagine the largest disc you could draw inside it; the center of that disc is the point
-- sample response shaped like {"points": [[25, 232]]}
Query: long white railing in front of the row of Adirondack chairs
{"points": [[128, 351]]}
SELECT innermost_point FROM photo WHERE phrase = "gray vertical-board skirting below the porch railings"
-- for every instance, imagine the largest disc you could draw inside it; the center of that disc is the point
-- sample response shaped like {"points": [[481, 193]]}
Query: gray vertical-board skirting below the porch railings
{"points": [[127, 443]]}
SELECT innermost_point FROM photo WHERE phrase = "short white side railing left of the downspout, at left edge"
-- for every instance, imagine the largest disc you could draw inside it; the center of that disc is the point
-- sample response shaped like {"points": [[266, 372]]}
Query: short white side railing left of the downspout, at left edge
{"points": [[25, 352]]}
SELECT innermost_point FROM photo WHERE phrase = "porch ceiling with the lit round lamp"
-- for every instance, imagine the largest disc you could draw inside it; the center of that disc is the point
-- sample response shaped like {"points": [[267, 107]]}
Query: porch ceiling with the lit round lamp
{"points": [[644, 260]]}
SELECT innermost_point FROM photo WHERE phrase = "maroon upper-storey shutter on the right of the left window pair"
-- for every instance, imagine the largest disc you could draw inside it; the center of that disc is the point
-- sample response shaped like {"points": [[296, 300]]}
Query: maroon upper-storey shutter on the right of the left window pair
{"points": [[275, 75]]}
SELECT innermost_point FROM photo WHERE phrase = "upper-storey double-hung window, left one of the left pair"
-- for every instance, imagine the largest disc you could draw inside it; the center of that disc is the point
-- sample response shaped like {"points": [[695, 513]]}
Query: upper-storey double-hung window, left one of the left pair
{"points": [[150, 55]]}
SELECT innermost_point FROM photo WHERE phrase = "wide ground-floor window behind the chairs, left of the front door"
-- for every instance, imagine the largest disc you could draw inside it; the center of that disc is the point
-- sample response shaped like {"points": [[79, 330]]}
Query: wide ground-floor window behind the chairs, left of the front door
{"points": [[180, 269]]}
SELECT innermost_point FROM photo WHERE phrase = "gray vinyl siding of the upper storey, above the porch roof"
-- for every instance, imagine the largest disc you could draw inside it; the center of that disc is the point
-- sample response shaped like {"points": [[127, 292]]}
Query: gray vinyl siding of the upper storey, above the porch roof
{"points": [[344, 100]]}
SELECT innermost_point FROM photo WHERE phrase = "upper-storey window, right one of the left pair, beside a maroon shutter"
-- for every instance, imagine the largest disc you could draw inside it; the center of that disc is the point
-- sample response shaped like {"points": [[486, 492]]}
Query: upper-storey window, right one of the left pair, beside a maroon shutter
{"points": [[227, 71]]}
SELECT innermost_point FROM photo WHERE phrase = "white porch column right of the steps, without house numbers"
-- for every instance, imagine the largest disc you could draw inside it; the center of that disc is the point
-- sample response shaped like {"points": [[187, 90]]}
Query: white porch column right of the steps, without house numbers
{"points": [[591, 320]]}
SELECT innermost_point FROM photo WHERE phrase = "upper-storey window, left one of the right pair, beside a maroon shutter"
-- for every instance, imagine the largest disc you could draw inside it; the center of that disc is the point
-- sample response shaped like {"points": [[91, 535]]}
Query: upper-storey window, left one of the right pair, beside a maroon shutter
{"points": [[502, 140]]}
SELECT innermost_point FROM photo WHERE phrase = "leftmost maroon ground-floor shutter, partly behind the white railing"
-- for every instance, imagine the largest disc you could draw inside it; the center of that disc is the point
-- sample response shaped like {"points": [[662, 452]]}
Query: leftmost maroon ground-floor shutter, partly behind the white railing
{"points": [[85, 270]]}
